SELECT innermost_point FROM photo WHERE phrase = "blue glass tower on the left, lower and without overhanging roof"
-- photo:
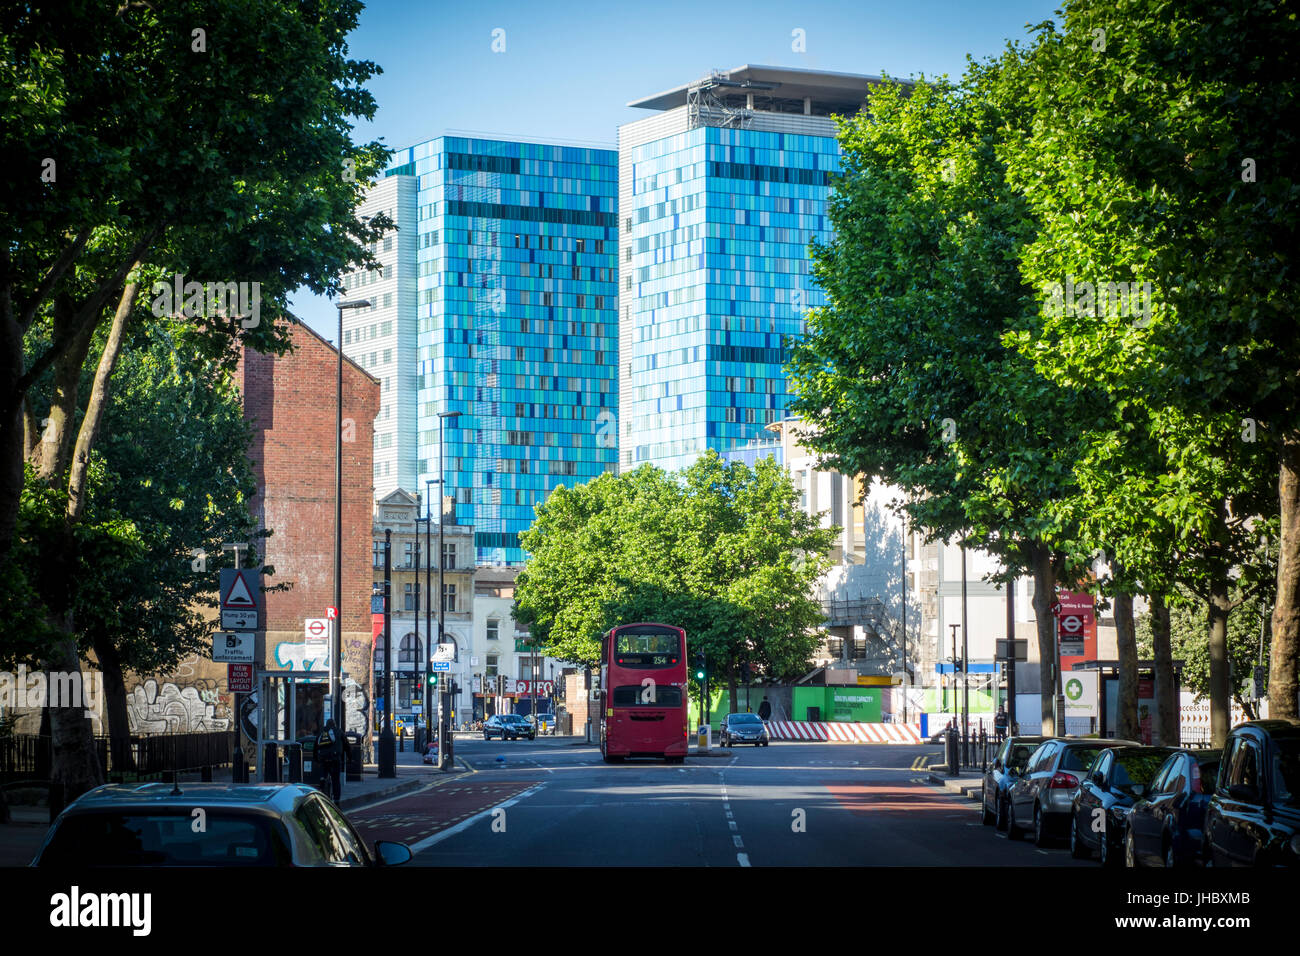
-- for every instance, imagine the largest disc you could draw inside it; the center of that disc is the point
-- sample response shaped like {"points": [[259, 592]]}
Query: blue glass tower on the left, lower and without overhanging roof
{"points": [[515, 310]]}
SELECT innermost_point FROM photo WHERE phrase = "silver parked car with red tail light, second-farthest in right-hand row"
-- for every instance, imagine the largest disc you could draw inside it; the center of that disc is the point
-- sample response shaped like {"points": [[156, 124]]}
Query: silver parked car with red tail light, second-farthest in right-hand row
{"points": [[1045, 793]]}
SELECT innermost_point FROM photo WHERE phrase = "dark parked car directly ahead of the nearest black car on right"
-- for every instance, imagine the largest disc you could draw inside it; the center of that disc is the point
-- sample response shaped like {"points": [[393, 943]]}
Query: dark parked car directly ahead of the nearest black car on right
{"points": [[1167, 828]]}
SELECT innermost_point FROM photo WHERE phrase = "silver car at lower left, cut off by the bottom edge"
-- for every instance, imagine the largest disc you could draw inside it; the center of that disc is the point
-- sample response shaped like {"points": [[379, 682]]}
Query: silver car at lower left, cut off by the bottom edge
{"points": [[244, 825]]}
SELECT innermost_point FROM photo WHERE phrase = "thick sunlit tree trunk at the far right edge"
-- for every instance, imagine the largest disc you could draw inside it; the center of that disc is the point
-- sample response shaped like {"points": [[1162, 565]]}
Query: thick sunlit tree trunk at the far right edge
{"points": [[1285, 648]]}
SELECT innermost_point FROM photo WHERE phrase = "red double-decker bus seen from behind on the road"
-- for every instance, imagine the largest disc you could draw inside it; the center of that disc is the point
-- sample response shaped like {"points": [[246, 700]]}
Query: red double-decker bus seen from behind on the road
{"points": [[644, 693]]}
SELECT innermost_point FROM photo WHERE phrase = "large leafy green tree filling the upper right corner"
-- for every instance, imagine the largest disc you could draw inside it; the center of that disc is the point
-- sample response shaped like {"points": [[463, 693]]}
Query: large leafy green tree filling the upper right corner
{"points": [[1139, 165]]}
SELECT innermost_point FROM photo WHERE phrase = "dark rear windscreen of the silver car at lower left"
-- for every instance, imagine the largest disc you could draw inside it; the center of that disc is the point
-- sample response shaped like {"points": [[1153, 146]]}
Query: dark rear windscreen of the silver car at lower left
{"points": [[167, 840]]}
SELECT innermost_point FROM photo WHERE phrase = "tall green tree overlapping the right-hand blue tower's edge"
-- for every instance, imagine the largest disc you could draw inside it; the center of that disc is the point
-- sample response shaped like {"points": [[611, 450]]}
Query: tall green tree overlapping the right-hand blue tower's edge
{"points": [[905, 371]]}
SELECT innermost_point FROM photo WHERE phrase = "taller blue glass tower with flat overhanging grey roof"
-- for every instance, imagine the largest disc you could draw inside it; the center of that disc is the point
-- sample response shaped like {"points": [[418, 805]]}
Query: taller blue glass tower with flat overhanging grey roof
{"points": [[721, 193]]}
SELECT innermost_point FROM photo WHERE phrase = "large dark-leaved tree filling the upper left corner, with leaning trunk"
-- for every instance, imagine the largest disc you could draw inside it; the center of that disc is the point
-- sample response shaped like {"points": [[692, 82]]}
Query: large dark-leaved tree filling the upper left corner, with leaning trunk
{"points": [[202, 139]]}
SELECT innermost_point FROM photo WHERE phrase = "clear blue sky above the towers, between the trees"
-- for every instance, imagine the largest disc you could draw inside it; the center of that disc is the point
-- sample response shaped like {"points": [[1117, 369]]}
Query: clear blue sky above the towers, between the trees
{"points": [[569, 70]]}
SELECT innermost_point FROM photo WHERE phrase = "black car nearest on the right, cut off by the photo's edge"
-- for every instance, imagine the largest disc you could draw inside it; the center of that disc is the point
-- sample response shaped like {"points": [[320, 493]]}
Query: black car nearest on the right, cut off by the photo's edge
{"points": [[1254, 819]]}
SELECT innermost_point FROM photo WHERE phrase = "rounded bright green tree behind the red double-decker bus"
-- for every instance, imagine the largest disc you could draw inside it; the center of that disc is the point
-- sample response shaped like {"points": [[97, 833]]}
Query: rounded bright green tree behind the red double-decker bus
{"points": [[720, 550]]}
